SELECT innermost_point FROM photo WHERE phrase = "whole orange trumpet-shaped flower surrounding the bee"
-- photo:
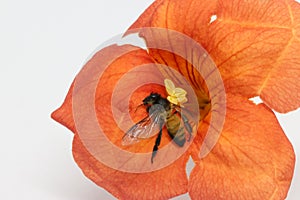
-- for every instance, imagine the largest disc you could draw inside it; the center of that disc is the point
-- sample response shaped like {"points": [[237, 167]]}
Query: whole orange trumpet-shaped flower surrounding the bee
{"points": [[255, 46]]}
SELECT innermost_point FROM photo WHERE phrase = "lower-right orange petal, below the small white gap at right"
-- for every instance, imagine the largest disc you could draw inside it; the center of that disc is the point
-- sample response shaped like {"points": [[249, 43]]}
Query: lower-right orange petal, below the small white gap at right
{"points": [[253, 159]]}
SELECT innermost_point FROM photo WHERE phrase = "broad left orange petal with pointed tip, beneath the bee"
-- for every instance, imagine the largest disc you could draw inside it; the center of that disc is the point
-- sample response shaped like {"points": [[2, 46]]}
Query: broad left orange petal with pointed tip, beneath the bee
{"points": [[121, 79]]}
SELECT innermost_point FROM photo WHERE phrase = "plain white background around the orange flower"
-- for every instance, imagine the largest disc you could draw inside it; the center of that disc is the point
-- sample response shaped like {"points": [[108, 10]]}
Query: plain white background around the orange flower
{"points": [[43, 44]]}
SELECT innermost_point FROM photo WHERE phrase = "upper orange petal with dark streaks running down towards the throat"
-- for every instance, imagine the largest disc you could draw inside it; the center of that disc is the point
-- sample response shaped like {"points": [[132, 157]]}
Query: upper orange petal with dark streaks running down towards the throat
{"points": [[169, 14]]}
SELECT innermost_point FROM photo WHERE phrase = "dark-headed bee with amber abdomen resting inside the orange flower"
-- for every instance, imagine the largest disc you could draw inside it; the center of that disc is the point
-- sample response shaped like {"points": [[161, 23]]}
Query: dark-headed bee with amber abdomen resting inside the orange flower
{"points": [[161, 112]]}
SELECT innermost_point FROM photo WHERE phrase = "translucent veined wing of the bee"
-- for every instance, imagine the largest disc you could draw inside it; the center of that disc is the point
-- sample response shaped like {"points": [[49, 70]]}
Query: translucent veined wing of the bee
{"points": [[146, 128]]}
